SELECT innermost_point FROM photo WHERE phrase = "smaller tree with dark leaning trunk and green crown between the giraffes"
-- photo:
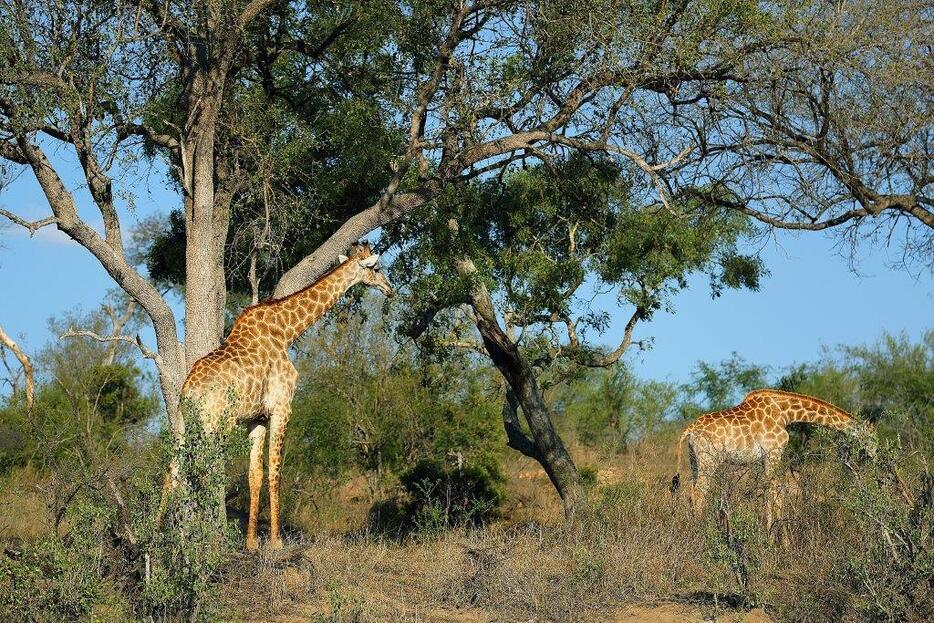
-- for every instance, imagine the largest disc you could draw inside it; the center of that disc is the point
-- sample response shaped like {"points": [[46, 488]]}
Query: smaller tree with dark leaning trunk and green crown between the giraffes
{"points": [[527, 262]]}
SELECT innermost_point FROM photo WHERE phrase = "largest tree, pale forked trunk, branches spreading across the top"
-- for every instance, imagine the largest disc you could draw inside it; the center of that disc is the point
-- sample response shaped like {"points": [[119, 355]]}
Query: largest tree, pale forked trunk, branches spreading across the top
{"points": [[763, 108]]}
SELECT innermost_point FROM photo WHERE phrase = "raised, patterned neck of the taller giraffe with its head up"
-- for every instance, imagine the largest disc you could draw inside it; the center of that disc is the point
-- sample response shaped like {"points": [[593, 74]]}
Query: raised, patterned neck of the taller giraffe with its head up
{"points": [[295, 313]]}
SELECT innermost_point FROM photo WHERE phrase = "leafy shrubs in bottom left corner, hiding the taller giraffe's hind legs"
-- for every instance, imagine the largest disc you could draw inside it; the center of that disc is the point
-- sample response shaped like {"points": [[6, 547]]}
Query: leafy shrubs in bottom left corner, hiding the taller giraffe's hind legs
{"points": [[109, 552]]}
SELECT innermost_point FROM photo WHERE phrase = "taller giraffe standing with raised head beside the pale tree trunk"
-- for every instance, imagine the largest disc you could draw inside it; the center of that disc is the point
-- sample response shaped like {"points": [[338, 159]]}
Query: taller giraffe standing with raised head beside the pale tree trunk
{"points": [[251, 380]]}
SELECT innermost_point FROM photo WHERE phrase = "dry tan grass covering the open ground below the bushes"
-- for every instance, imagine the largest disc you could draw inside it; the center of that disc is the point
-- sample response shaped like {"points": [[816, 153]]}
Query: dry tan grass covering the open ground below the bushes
{"points": [[637, 554]]}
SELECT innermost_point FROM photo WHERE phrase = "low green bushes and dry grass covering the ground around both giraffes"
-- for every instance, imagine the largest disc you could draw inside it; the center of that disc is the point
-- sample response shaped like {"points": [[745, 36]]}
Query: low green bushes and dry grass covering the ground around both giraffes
{"points": [[404, 503]]}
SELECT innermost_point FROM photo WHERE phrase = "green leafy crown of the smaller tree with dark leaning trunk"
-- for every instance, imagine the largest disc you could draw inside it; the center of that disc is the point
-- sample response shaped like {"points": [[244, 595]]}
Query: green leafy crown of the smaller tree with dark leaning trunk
{"points": [[541, 233]]}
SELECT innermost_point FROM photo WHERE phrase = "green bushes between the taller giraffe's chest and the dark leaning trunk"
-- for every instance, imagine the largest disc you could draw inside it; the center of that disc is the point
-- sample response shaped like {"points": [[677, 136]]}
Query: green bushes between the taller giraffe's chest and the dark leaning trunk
{"points": [[366, 405]]}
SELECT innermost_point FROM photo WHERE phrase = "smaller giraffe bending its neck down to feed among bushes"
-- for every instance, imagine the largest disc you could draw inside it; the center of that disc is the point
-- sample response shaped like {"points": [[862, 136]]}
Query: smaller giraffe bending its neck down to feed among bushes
{"points": [[752, 432]]}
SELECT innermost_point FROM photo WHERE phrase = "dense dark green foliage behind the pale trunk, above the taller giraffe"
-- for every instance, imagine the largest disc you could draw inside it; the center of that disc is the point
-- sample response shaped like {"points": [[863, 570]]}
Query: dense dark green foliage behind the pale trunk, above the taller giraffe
{"points": [[297, 141]]}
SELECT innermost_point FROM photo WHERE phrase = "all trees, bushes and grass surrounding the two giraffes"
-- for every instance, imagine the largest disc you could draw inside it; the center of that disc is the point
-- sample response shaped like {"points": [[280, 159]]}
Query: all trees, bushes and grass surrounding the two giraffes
{"points": [[473, 448]]}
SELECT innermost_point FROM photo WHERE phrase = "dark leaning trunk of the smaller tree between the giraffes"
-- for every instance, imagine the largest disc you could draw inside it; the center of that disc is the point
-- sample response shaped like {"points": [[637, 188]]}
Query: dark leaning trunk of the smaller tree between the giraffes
{"points": [[545, 446]]}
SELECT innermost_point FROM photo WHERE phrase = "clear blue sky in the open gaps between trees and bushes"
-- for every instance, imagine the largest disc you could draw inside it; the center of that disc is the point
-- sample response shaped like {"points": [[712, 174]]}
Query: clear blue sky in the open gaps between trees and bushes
{"points": [[811, 299]]}
